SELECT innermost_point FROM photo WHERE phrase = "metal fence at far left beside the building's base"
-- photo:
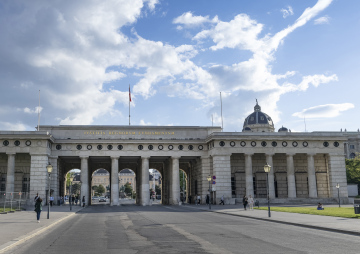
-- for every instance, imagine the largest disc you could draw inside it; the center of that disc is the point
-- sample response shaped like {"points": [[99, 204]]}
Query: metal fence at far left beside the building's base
{"points": [[13, 201]]}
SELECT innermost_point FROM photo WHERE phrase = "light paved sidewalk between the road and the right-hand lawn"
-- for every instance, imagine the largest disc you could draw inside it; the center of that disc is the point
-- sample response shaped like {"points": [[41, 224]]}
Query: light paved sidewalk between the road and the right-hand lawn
{"points": [[335, 224]]}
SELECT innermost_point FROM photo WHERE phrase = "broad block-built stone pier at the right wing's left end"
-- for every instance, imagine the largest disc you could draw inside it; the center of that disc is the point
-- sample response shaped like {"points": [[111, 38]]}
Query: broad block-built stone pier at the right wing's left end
{"points": [[222, 171]]}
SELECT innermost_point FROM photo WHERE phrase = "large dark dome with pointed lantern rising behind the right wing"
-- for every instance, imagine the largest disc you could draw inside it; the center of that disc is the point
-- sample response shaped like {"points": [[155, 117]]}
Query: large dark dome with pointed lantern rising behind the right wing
{"points": [[258, 121]]}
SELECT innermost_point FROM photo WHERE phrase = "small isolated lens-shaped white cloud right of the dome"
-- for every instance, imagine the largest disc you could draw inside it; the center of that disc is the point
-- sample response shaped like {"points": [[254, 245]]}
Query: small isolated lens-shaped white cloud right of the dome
{"points": [[324, 111]]}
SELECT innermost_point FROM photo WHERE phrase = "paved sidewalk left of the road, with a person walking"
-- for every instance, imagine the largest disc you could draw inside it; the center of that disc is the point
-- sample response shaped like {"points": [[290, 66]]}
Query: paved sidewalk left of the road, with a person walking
{"points": [[17, 227]]}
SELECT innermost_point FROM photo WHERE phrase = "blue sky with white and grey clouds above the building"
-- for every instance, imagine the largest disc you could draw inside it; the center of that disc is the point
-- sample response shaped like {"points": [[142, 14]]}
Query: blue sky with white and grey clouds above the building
{"points": [[299, 59]]}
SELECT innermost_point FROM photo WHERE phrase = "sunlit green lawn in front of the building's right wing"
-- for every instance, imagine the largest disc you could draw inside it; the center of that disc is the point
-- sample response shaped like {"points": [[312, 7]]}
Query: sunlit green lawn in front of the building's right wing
{"points": [[345, 212]]}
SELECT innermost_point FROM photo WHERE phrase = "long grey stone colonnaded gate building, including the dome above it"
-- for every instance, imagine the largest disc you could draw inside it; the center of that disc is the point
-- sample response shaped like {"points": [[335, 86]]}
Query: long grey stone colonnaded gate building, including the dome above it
{"points": [[304, 166]]}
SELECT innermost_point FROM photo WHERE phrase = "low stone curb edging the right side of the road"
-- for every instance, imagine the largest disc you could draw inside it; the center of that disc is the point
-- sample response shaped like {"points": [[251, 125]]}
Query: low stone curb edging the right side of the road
{"points": [[290, 223]]}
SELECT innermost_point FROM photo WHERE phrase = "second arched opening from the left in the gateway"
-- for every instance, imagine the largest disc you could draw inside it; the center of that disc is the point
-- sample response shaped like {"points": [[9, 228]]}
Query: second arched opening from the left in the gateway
{"points": [[100, 187]]}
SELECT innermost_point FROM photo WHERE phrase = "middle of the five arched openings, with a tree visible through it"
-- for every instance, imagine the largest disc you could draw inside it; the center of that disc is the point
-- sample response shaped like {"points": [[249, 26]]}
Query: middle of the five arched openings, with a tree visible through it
{"points": [[127, 186]]}
